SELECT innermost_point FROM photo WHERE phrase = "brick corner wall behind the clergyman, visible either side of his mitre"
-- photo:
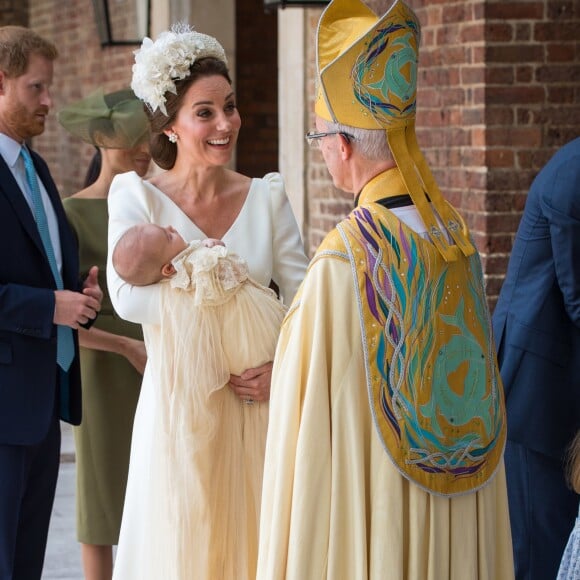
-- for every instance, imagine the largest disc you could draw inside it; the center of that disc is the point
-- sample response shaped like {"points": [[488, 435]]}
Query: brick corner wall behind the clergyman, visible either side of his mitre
{"points": [[499, 92]]}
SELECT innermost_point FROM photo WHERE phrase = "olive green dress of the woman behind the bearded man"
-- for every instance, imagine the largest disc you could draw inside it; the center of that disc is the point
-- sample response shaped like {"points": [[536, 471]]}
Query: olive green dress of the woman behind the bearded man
{"points": [[110, 386]]}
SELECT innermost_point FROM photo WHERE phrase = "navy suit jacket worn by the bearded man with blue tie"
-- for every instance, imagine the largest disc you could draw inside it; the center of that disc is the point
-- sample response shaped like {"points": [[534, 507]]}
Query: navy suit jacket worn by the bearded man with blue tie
{"points": [[28, 370]]}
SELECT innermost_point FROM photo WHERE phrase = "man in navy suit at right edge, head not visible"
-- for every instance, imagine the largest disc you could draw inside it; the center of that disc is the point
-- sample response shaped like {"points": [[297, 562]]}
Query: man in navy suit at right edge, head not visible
{"points": [[537, 332]]}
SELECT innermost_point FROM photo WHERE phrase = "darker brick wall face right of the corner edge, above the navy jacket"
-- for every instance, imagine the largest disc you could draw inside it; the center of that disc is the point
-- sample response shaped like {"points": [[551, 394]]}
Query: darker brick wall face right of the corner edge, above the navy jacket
{"points": [[532, 108]]}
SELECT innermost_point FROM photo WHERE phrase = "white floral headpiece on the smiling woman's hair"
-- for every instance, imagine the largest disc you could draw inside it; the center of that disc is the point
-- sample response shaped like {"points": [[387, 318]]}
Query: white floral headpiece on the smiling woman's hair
{"points": [[159, 63]]}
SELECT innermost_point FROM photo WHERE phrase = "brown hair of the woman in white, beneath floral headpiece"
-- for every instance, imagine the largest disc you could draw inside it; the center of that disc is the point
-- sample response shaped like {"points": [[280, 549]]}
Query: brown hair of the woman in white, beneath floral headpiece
{"points": [[163, 151]]}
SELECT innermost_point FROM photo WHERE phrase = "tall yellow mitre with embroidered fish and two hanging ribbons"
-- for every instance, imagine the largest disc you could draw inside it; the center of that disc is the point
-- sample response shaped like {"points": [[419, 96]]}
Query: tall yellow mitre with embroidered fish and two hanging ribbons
{"points": [[367, 78]]}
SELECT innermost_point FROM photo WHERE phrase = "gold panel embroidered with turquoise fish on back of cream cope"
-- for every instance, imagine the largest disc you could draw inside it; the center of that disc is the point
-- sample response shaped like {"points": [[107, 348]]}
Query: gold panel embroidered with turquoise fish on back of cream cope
{"points": [[432, 376]]}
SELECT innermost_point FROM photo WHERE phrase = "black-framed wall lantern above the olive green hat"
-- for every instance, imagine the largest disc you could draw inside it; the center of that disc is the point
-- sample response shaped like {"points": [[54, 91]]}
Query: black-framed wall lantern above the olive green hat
{"points": [[122, 22]]}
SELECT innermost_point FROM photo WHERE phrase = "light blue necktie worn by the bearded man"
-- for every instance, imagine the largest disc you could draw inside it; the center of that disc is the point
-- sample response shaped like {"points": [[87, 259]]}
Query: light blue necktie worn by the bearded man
{"points": [[65, 350]]}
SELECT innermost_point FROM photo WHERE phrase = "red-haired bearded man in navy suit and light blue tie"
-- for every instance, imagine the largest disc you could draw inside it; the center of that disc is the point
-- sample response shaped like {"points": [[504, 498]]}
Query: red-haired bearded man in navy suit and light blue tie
{"points": [[42, 303]]}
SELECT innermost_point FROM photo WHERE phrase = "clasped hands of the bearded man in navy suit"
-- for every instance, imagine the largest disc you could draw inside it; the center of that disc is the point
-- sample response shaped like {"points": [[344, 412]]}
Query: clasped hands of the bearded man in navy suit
{"points": [[73, 308]]}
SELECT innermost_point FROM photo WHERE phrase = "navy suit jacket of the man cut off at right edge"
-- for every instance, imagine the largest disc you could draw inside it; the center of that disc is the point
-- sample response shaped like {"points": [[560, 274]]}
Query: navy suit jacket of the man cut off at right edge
{"points": [[537, 318]]}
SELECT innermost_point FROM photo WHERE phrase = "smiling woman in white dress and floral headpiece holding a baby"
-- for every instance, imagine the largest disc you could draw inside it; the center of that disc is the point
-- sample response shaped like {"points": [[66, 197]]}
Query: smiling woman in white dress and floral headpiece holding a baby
{"points": [[183, 79]]}
